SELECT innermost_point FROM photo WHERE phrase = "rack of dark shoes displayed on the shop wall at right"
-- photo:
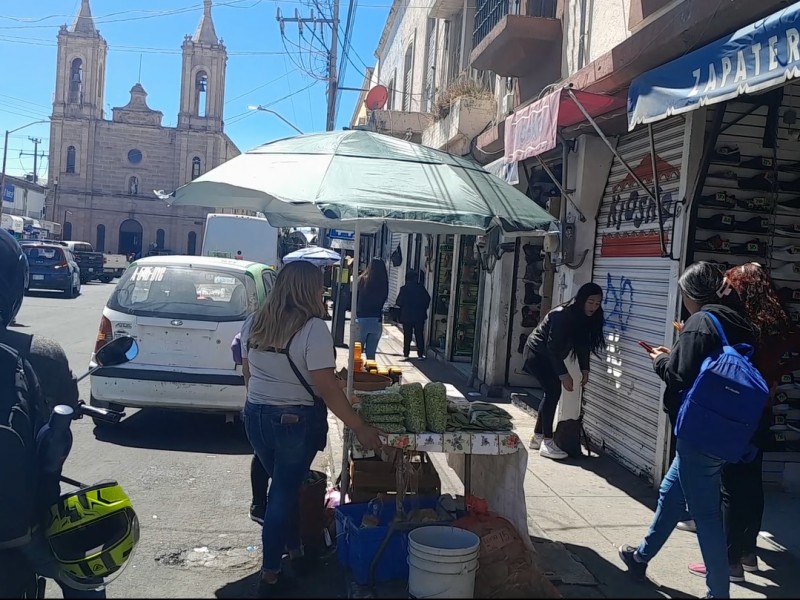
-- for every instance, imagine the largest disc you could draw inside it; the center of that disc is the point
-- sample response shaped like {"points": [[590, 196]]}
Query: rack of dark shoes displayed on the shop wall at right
{"points": [[749, 211]]}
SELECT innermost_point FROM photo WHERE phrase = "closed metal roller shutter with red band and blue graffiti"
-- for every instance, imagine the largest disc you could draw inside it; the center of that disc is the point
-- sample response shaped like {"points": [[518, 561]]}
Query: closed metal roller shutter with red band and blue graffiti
{"points": [[623, 396]]}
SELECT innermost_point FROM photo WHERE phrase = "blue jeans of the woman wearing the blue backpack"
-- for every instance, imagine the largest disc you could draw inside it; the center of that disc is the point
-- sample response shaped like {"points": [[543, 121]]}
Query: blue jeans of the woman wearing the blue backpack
{"points": [[693, 481]]}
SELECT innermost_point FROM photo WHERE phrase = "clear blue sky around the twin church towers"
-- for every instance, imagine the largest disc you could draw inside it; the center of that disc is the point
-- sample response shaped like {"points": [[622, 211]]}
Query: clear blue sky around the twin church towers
{"points": [[259, 70]]}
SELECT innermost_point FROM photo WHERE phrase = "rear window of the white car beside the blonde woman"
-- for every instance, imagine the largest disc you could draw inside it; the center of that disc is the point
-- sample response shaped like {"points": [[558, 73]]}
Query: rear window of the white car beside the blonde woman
{"points": [[199, 293]]}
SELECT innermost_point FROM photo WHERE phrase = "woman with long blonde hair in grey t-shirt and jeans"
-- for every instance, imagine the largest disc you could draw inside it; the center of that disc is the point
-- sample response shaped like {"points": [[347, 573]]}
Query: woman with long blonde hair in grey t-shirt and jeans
{"points": [[288, 364]]}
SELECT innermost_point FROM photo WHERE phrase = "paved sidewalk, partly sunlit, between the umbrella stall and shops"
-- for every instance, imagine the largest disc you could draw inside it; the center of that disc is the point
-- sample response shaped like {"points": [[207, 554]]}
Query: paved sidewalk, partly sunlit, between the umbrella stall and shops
{"points": [[580, 511]]}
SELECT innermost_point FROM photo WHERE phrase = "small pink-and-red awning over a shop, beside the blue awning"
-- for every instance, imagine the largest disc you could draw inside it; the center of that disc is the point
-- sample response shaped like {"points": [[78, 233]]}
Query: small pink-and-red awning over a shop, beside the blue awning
{"points": [[532, 130]]}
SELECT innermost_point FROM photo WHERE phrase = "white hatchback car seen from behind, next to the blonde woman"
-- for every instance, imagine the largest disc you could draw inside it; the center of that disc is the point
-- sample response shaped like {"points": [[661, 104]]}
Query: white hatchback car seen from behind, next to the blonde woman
{"points": [[184, 311]]}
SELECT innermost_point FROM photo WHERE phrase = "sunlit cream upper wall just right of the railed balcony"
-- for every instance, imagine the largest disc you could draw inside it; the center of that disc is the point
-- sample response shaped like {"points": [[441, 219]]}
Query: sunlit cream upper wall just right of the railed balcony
{"points": [[607, 26]]}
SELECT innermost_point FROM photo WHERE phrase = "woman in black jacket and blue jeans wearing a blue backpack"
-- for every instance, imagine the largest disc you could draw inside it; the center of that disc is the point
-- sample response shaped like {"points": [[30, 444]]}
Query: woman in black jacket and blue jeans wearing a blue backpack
{"points": [[694, 478]]}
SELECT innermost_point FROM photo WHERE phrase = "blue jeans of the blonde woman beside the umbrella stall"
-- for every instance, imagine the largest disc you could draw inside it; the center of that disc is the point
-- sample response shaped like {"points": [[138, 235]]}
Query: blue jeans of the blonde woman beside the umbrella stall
{"points": [[286, 450]]}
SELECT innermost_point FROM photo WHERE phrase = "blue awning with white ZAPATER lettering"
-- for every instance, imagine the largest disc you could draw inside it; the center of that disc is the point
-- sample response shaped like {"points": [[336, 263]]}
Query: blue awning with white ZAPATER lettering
{"points": [[755, 58]]}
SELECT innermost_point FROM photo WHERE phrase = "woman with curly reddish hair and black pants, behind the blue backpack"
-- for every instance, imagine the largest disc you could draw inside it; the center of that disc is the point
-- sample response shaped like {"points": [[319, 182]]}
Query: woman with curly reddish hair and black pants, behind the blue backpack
{"points": [[742, 482]]}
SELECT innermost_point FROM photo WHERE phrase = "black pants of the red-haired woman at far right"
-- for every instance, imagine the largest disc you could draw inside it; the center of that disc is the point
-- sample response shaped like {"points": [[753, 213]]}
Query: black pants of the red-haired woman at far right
{"points": [[742, 506]]}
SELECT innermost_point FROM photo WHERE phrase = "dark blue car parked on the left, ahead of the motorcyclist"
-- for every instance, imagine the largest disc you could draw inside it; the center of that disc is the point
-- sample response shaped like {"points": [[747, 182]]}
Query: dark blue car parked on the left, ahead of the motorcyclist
{"points": [[52, 267]]}
